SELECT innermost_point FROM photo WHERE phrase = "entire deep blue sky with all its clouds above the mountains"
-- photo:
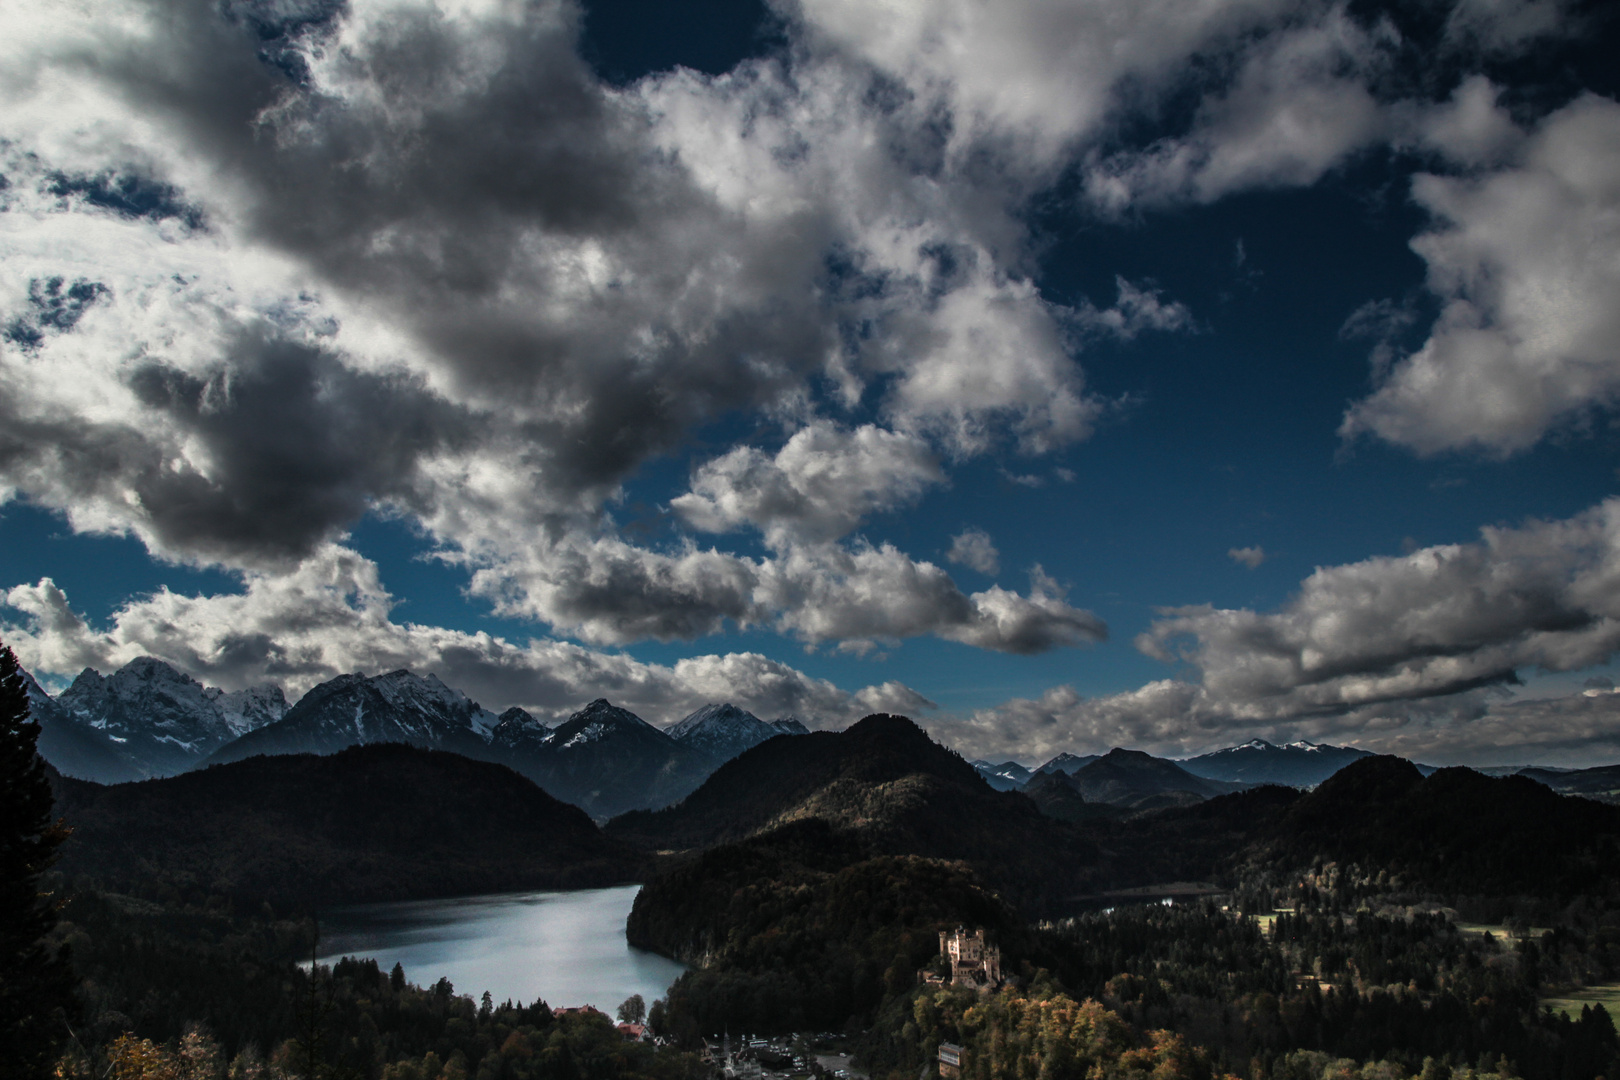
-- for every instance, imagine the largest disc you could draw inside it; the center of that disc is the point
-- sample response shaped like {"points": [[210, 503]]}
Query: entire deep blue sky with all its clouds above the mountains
{"points": [[1148, 373]]}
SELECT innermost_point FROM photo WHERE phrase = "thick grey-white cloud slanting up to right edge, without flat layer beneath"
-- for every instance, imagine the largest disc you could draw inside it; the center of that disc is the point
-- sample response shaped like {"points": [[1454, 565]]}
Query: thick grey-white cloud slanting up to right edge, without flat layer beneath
{"points": [[1436, 623]]}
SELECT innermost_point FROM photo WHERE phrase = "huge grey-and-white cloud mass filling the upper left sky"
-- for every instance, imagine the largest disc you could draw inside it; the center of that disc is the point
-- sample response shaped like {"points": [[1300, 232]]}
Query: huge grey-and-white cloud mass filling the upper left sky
{"points": [[276, 270]]}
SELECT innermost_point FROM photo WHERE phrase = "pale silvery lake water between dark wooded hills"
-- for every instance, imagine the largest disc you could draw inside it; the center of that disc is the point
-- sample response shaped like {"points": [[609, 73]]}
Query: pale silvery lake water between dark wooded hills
{"points": [[566, 948]]}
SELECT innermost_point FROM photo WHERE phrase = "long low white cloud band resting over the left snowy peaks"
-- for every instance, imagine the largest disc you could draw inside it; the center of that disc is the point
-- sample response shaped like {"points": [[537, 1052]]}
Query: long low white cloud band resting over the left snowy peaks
{"points": [[333, 616]]}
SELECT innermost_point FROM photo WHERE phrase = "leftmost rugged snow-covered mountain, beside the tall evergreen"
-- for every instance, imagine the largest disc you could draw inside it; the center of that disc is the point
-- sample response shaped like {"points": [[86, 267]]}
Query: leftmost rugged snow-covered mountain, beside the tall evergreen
{"points": [[161, 721]]}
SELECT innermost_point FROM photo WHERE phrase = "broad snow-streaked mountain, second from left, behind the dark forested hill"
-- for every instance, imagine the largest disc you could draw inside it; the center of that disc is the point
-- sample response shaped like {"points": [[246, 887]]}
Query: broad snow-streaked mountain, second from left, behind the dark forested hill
{"points": [[359, 710]]}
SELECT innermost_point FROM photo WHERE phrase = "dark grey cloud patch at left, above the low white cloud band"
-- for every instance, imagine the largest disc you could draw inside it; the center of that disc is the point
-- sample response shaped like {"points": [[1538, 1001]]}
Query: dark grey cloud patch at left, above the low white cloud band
{"points": [[262, 459]]}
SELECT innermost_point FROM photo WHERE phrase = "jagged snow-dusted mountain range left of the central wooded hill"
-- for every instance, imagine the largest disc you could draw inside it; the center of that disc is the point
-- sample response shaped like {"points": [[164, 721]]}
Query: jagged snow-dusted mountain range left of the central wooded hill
{"points": [[148, 721]]}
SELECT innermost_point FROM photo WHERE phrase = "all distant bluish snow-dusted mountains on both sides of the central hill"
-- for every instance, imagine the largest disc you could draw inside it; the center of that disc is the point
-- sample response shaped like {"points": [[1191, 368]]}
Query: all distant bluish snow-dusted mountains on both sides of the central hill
{"points": [[148, 720]]}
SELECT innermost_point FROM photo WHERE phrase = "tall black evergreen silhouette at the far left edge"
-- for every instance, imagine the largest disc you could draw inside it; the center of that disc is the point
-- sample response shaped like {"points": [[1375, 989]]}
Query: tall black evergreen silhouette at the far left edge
{"points": [[36, 984]]}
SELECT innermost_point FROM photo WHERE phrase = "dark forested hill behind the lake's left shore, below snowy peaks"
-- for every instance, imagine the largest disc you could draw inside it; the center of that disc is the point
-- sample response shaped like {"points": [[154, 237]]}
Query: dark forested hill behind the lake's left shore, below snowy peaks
{"points": [[370, 823]]}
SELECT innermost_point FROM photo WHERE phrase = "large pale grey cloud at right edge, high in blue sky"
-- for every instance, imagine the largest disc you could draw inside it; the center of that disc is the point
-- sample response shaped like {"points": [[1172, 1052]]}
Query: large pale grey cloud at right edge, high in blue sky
{"points": [[1524, 265]]}
